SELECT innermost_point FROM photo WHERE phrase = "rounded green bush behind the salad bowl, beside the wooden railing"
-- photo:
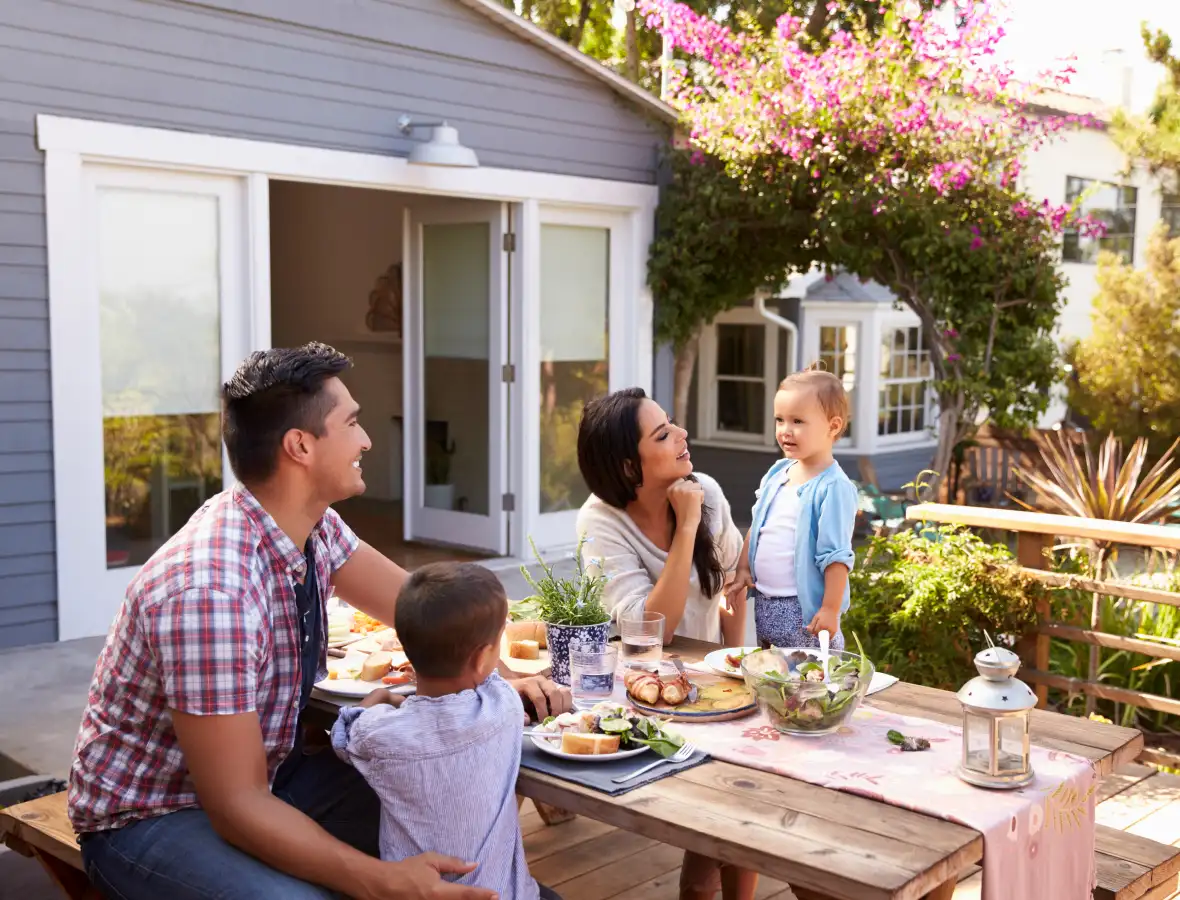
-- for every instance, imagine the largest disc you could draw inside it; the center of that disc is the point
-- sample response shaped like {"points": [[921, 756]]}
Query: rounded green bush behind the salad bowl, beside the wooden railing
{"points": [[926, 601]]}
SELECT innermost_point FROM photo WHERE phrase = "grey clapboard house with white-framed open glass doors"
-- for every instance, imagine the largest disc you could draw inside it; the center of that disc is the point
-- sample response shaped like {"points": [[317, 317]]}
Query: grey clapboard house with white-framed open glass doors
{"points": [[186, 181]]}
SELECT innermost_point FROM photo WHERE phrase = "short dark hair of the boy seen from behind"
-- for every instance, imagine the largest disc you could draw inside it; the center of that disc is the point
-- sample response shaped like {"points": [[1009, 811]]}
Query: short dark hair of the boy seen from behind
{"points": [[445, 613]]}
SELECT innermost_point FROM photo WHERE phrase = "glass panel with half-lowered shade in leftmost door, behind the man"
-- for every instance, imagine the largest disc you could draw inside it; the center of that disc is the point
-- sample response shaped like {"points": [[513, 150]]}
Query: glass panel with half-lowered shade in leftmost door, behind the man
{"points": [[160, 338]]}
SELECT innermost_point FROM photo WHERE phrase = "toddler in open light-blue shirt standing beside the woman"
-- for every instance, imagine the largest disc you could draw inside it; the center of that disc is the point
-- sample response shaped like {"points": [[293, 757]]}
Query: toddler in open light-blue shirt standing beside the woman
{"points": [[798, 553]]}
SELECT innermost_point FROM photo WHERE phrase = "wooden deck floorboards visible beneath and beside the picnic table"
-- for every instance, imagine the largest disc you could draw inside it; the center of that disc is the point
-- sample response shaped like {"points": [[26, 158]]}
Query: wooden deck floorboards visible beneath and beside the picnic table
{"points": [[587, 860]]}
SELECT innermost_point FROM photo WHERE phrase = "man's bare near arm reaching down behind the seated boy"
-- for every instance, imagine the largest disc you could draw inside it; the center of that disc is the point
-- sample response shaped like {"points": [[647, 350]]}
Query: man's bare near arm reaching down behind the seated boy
{"points": [[228, 764]]}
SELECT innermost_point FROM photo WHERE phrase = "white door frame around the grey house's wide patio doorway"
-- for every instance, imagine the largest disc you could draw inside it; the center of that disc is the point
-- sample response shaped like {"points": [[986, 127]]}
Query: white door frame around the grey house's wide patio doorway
{"points": [[73, 144]]}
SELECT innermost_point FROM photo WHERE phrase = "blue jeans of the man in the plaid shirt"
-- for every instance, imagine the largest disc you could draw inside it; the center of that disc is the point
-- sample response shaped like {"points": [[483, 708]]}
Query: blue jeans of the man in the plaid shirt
{"points": [[180, 857]]}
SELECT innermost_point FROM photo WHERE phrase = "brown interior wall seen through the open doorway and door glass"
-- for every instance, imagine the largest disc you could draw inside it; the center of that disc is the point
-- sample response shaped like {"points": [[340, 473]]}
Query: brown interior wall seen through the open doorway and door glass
{"points": [[330, 245]]}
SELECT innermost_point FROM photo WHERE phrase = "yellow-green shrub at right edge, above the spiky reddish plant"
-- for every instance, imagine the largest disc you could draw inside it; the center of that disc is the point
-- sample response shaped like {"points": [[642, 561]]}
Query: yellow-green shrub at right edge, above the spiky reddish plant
{"points": [[1129, 369]]}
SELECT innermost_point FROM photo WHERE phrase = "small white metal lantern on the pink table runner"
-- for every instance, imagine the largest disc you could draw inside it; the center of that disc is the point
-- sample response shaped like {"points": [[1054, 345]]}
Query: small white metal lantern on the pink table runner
{"points": [[997, 708]]}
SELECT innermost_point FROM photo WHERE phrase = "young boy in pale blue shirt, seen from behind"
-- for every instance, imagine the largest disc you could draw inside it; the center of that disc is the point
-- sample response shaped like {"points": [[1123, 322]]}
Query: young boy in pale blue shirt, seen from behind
{"points": [[445, 761]]}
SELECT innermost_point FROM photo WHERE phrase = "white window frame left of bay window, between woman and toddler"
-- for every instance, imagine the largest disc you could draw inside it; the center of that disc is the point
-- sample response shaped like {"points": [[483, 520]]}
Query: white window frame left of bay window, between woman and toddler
{"points": [[707, 383]]}
